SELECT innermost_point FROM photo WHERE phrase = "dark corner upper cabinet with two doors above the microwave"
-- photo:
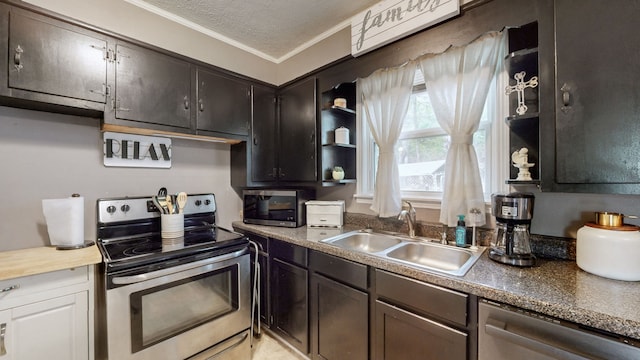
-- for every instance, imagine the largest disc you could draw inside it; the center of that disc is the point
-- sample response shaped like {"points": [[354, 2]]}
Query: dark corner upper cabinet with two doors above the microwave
{"points": [[282, 149]]}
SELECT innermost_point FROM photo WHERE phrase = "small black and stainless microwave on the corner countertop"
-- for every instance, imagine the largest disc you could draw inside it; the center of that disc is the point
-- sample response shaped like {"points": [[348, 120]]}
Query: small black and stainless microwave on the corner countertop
{"points": [[275, 207]]}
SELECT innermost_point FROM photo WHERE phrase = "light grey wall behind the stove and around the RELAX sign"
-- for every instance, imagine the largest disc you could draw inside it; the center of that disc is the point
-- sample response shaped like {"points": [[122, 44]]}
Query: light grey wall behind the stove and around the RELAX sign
{"points": [[45, 155]]}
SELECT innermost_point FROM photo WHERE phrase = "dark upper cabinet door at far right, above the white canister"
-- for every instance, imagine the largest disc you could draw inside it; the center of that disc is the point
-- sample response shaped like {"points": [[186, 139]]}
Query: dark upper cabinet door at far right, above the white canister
{"points": [[597, 98]]}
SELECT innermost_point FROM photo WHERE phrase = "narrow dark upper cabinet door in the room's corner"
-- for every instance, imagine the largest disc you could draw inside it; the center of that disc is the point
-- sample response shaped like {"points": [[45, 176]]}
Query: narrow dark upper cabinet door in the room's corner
{"points": [[263, 131]]}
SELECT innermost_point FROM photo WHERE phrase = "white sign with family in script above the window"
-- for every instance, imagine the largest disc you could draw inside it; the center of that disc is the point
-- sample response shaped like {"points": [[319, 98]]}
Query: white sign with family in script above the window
{"points": [[390, 20]]}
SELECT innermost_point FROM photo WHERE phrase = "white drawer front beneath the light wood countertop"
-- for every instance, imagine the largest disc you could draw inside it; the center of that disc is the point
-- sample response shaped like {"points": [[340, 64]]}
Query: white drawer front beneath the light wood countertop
{"points": [[28, 285]]}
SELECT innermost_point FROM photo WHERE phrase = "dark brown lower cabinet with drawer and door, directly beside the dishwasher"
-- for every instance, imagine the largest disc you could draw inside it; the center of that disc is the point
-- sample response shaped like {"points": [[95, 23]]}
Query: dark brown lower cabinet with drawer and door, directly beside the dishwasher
{"points": [[418, 320]]}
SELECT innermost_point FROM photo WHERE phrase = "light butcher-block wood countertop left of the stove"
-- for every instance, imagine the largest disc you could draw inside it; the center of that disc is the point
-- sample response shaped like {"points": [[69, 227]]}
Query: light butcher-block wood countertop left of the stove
{"points": [[33, 261]]}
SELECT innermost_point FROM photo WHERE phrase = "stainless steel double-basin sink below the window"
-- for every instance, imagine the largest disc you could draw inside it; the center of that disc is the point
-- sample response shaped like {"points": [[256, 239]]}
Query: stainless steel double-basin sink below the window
{"points": [[420, 253]]}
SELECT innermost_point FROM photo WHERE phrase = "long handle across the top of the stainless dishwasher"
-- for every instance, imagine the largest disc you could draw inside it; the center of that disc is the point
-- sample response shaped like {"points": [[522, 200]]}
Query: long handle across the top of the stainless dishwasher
{"points": [[529, 340]]}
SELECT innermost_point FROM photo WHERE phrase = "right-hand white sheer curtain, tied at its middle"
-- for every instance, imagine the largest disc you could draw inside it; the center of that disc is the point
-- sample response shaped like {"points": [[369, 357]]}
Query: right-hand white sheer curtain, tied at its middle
{"points": [[458, 81]]}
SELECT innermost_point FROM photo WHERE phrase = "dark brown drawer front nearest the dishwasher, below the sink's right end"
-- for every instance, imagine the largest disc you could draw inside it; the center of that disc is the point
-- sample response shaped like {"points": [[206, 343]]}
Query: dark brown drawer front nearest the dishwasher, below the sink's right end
{"points": [[425, 298]]}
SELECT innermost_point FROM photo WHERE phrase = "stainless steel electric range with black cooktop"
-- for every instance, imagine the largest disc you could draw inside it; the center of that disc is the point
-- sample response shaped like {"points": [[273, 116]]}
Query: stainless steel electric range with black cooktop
{"points": [[171, 298]]}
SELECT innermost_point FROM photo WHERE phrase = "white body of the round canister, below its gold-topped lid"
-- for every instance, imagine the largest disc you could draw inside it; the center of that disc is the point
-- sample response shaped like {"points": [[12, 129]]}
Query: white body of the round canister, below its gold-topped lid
{"points": [[614, 254]]}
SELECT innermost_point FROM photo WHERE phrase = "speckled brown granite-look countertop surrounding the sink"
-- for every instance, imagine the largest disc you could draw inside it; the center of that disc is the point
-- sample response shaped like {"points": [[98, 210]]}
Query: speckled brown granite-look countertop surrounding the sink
{"points": [[555, 288]]}
